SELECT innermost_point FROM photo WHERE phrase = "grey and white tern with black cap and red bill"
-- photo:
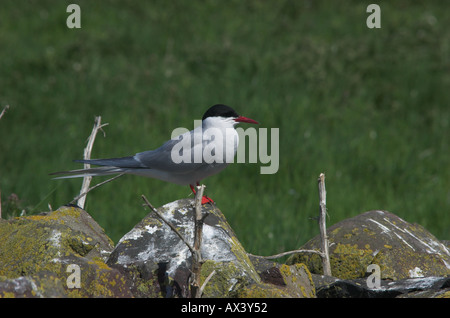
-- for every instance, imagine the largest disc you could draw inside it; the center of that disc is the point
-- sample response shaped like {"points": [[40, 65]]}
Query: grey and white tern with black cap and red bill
{"points": [[185, 159]]}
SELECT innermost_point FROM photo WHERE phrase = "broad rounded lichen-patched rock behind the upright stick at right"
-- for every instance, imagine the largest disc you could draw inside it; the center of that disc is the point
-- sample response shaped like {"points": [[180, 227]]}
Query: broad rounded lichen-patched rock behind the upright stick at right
{"points": [[402, 250]]}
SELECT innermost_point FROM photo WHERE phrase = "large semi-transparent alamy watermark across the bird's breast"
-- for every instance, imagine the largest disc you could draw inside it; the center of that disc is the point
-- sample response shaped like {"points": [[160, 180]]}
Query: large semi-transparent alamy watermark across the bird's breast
{"points": [[222, 150]]}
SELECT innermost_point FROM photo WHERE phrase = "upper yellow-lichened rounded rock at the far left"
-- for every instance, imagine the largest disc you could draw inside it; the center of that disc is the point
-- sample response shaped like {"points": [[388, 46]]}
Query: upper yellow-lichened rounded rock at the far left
{"points": [[33, 243]]}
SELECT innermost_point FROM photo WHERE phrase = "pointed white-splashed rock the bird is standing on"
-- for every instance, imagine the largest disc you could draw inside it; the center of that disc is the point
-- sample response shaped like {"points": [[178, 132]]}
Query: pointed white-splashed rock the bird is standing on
{"points": [[152, 250]]}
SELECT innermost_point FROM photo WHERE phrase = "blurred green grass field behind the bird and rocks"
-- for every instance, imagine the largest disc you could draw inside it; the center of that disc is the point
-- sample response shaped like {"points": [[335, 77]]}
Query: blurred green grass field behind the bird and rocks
{"points": [[368, 107]]}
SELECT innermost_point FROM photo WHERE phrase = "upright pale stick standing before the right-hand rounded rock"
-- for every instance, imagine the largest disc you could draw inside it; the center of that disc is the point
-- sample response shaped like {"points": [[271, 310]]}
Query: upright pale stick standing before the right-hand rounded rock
{"points": [[322, 225]]}
